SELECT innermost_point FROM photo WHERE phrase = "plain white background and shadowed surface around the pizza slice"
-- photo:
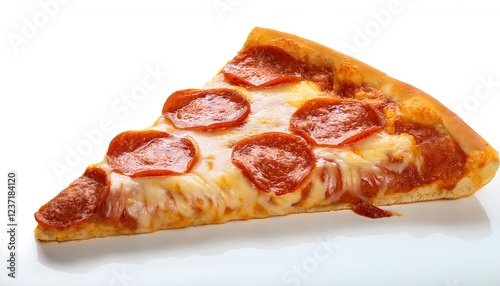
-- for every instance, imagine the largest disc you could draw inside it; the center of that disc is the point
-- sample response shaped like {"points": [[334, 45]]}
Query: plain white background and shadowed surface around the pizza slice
{"points": [[70, 80]]}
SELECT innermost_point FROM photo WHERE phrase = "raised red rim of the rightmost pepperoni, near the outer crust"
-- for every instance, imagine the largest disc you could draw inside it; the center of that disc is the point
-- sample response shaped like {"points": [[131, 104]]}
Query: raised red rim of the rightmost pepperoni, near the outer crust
{"points": [[352, 139]]}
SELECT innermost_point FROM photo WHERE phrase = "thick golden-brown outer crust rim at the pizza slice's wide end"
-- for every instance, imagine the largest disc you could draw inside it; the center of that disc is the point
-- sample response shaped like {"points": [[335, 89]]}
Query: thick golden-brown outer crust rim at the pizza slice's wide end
{"points": [[482, 157]]}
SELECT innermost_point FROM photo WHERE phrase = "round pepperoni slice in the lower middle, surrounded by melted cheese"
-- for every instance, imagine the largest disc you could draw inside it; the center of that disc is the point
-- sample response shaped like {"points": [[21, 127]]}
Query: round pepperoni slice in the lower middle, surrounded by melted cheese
{"points": [[274, 162]]}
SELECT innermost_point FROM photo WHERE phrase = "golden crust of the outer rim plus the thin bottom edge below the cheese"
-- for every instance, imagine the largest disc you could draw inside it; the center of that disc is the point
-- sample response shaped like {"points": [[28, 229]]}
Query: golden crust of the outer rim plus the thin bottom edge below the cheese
{"points": [[482, 159]]}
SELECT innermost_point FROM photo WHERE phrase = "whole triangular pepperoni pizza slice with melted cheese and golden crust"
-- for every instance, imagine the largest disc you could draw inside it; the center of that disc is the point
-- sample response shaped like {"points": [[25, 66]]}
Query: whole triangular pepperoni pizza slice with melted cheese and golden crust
{"points": [[286, 126]]}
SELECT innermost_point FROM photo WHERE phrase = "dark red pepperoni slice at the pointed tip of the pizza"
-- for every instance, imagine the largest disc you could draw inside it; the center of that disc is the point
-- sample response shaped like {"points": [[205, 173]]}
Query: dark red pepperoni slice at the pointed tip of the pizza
{"points": [[78, 203]]}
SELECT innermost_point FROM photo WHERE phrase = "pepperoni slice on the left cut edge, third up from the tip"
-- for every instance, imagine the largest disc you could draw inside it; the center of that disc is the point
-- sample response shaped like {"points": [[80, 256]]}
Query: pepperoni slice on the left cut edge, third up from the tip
{"points": [[206, 109]]}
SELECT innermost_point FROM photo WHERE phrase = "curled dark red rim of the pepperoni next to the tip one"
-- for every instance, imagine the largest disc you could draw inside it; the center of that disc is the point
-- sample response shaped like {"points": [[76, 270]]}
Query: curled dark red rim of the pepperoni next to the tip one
{"points": [[121, 144]]}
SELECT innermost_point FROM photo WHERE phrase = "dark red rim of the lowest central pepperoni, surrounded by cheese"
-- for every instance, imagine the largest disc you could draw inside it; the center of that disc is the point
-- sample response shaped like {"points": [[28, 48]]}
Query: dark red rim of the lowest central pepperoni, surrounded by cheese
{"points": [[266, 136]]}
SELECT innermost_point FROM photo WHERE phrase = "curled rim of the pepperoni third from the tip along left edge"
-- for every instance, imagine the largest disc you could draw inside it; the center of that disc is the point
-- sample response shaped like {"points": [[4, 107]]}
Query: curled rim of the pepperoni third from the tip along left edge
{"points": [[179, 99]]}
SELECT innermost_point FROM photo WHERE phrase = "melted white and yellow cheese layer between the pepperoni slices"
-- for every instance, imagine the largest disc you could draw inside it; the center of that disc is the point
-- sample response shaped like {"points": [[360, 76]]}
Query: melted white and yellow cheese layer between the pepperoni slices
{"points": [[215, 190]]}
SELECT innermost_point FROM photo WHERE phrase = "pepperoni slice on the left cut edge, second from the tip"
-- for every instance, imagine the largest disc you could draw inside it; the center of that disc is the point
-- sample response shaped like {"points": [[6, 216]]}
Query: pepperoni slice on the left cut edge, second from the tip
{"points": [[150, 153]]}
